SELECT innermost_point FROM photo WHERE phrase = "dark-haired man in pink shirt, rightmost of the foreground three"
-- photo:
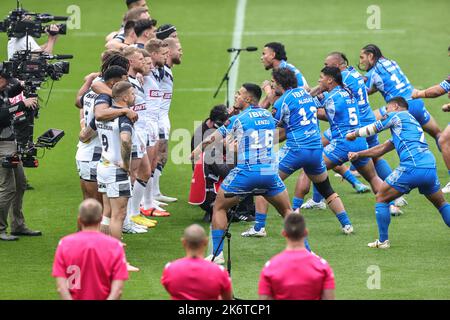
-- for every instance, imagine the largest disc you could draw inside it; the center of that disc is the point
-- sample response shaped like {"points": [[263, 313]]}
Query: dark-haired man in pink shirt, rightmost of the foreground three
{"points": [[295, 273]]}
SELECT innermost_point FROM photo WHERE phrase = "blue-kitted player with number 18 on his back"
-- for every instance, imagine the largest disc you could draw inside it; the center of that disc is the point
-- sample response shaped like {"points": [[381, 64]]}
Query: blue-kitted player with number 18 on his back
{"points": [[252, 132]]}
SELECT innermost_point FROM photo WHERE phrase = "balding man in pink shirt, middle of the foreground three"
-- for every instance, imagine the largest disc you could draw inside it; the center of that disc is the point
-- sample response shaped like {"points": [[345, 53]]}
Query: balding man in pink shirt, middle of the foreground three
{"points": [[192, 277]]}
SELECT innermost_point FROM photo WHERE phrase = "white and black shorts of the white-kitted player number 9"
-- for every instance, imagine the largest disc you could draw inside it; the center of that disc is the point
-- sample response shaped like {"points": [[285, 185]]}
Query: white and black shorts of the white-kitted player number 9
{"points": [[113, 181]]}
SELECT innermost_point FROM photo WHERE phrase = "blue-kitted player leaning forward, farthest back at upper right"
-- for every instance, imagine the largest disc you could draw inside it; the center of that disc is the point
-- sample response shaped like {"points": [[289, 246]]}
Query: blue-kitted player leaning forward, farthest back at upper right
{"points": [[385, 76]]}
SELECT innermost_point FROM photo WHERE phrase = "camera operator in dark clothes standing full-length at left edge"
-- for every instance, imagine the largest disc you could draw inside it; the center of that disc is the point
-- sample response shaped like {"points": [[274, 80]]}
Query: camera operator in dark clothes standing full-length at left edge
{"points": [[12, 179]]}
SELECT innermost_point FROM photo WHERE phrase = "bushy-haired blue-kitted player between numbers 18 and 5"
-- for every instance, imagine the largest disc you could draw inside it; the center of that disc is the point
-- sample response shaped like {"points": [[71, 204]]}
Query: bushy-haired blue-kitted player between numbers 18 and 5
{"points": [[296, 113]]}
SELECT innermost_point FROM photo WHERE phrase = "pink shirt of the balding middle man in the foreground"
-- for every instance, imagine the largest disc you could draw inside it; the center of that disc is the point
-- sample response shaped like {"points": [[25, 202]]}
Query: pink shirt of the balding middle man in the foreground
{"points": [[195, 279]]}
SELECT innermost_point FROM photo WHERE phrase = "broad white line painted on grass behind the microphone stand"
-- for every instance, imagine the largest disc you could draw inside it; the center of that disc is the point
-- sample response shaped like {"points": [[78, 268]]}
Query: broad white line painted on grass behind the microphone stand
{"points": [[239, 21]]}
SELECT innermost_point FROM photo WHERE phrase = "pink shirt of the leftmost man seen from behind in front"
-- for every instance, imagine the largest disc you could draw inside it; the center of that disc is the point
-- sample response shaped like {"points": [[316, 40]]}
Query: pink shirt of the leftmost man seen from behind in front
{"points": [[90, 261]]}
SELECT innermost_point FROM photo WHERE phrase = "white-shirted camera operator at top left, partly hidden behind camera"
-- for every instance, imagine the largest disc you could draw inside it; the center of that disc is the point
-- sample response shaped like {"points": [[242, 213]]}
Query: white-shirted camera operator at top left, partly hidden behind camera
{"points": [[17, 44]]}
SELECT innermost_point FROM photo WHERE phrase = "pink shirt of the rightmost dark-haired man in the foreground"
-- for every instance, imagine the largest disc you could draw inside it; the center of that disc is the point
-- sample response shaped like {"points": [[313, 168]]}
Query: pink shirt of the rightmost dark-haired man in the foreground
{"points": [[296, 275]]}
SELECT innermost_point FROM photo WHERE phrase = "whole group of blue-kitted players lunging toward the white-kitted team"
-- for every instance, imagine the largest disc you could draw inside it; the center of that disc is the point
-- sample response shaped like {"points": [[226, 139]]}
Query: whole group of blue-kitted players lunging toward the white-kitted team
{"points": [[341, 98]]}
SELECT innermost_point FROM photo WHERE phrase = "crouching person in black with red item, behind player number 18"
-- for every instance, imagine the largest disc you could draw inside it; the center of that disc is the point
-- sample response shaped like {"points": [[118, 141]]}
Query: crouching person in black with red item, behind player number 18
{"points": [[214, 169]]}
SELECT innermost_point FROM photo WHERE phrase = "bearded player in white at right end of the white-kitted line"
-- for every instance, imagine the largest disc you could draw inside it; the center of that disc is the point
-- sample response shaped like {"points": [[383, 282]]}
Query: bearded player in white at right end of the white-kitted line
{"points": [[166, 85]]}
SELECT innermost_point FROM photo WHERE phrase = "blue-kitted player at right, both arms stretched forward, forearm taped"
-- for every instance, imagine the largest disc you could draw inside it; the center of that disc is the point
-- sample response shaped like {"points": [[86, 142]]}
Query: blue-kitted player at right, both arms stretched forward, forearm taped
{"points": [[417, 167]]}
